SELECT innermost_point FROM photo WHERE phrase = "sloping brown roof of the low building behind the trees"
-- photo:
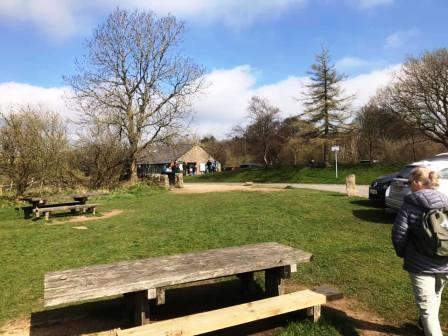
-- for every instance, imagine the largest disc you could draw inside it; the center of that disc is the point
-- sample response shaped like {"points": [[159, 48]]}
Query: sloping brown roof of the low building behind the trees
{"points": [[161, 154]]}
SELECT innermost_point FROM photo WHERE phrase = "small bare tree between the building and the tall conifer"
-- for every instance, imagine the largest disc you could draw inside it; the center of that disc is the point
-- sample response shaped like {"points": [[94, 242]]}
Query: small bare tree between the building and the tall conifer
{"points": [[262, 132]]}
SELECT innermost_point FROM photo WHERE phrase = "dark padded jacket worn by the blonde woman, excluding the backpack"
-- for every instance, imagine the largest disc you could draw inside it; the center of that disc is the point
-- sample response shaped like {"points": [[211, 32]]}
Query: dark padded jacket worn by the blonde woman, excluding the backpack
{"points": [[405, 229]]}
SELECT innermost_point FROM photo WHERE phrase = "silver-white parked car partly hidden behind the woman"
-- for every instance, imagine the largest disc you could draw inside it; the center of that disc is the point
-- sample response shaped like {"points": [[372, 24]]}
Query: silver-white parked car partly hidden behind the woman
{"points": [[399, 187]]}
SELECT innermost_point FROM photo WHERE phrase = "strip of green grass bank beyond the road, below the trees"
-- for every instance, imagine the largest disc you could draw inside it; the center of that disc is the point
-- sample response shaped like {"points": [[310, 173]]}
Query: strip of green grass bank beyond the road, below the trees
{"points": [[365, 174]]}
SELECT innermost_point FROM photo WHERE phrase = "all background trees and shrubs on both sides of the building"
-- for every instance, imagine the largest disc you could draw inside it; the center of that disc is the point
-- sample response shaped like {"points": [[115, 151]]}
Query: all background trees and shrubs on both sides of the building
{"points": [[133, 89]]}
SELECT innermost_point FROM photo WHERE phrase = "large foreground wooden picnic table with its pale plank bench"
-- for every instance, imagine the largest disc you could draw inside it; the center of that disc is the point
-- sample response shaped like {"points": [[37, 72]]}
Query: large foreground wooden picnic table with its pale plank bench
{"points": [[145, 281]]}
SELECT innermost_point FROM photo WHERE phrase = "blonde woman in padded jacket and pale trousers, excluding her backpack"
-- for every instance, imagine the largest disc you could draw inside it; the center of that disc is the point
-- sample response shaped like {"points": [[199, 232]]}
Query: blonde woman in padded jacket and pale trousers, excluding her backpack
{"points": [[428, 274]]}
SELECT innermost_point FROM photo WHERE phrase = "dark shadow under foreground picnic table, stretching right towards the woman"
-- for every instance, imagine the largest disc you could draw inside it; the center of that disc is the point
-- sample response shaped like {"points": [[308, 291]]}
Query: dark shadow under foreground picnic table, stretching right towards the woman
{"points": [[100, 316]]}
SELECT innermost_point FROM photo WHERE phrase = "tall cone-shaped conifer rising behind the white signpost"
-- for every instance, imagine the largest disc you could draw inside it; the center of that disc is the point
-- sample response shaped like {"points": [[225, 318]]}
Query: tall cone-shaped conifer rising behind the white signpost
{"points": [[326, 105]]}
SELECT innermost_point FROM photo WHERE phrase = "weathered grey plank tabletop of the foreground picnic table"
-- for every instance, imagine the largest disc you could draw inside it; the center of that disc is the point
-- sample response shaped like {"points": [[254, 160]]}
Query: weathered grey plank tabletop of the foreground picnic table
{"points": [[100, 281]]}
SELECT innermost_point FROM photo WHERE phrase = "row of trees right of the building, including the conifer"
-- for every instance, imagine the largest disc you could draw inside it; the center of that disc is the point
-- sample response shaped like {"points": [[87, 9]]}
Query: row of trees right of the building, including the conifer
{"points": [[405, 121]]}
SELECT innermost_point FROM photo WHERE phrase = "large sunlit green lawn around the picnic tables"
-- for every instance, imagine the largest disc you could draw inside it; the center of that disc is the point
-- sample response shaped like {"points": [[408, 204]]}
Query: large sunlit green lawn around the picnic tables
{"points": [[349, 238]]}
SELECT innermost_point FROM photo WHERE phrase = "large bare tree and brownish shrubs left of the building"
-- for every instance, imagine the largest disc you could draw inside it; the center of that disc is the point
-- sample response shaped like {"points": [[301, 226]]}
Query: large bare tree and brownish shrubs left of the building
{"points": [[132, 88]]}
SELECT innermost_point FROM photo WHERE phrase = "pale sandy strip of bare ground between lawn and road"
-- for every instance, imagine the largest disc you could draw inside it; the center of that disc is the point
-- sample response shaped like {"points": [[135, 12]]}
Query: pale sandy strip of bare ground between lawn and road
{"points": [[193, 188]]}
